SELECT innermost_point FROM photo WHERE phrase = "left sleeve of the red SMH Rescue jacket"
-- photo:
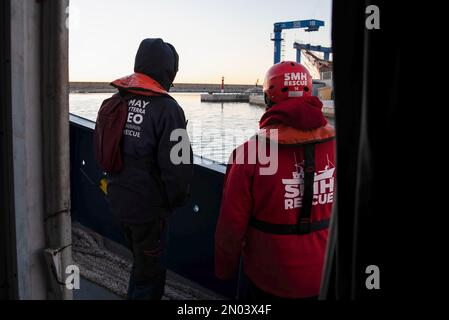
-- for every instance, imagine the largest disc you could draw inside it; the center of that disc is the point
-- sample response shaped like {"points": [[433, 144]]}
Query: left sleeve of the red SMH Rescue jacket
{"points": [[236, 207]]}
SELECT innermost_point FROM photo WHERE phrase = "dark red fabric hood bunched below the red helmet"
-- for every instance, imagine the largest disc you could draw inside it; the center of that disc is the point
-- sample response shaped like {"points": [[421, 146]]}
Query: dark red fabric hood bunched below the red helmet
{"points": [[302, 113]]}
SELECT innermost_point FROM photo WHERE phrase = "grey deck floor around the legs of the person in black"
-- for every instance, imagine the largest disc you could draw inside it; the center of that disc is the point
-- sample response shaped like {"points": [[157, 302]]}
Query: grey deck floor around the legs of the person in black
{"points": [[105, 267]]}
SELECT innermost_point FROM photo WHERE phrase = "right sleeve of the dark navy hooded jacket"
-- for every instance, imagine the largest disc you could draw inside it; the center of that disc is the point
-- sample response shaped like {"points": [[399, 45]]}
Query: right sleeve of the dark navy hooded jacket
{"points": [[175, 156]]}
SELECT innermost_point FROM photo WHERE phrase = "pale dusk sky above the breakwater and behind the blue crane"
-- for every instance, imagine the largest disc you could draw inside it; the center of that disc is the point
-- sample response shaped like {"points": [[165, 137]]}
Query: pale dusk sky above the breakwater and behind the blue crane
{"points": [[213, 38]]}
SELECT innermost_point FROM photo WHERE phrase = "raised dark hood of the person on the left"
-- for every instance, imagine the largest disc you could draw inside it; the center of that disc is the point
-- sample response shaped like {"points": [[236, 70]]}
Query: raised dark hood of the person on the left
{"points": [[158, 60]]}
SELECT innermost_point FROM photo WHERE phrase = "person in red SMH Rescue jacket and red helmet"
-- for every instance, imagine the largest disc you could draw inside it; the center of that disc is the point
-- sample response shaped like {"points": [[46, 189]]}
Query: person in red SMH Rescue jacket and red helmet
{"points": [[278, 221]]}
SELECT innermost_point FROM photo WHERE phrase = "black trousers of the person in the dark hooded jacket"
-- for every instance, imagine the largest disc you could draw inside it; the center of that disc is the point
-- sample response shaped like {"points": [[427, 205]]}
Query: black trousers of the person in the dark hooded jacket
{"points": [[148, 245]]}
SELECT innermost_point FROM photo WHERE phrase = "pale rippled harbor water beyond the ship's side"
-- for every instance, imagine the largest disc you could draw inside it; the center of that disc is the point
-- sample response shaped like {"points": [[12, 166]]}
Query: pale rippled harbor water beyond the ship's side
{"points": [[215, 129]]}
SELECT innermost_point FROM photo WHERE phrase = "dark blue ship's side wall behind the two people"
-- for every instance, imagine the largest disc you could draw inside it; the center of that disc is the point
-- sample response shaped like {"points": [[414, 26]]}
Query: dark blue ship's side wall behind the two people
{"points": [[191, 233]]}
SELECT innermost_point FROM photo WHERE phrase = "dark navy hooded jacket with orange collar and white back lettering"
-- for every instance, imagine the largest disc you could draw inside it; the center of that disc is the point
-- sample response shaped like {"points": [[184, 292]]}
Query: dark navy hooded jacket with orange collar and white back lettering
{"points": [[150, 184]]}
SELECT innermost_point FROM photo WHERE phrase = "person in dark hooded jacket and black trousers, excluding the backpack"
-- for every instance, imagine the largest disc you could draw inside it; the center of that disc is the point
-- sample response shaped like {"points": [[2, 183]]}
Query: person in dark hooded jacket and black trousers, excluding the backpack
{"points": [[158, 164]]}
